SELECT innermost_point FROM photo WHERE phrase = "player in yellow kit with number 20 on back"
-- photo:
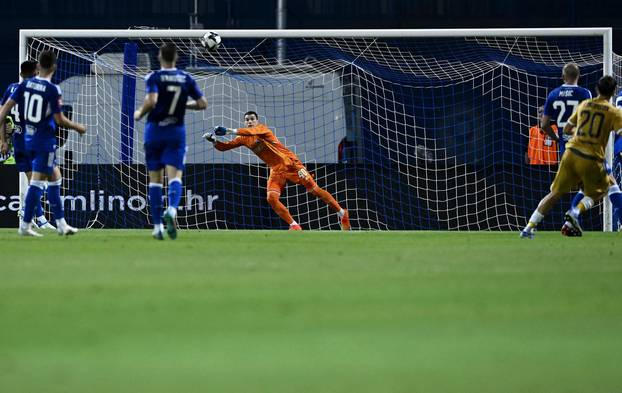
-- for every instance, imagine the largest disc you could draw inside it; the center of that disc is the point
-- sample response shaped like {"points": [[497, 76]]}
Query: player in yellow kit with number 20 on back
{"points": [[583, 160]]}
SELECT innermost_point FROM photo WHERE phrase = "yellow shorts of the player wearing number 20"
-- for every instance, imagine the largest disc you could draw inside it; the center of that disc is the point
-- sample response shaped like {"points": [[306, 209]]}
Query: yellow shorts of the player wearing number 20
{"points": [[575, 170]]}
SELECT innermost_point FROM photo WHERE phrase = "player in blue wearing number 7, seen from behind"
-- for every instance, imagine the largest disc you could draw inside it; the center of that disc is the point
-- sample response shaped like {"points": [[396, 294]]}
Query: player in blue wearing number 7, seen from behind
{"points": [[166, 102]]}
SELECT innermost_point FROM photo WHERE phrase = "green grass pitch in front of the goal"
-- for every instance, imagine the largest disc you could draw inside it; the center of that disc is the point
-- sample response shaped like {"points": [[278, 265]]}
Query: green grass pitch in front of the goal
{"points": [[275, 311]]}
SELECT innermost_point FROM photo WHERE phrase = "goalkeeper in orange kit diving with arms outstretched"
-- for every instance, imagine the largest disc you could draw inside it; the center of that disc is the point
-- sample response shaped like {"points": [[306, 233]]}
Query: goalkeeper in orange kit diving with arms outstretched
{"points": [[284, 166]]}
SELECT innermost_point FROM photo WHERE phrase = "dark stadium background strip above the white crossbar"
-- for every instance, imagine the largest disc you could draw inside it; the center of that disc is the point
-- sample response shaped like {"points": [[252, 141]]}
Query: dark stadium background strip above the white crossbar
{"points": [[304, 14]]}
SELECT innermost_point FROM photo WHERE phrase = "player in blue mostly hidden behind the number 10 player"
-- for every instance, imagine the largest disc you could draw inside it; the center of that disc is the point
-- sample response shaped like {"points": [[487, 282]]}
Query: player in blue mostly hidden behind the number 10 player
{"points": [[23, 161]]}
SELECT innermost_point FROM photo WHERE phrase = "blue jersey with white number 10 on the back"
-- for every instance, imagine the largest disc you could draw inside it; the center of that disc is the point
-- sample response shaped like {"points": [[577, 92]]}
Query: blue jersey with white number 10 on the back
{"points": [[38, 99]]}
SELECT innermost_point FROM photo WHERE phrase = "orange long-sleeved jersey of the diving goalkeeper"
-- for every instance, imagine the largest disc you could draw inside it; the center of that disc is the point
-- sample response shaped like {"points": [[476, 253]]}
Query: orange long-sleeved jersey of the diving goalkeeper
{"points": [[264, 144]]}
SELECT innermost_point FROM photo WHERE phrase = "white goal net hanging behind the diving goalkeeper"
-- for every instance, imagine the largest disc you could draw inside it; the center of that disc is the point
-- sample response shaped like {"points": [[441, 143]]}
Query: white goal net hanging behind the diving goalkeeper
{"points": [[406, 129]]}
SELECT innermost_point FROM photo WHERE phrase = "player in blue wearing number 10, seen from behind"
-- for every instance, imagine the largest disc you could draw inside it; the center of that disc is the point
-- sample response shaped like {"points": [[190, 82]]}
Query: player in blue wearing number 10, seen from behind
{"points": [[40, 103]]}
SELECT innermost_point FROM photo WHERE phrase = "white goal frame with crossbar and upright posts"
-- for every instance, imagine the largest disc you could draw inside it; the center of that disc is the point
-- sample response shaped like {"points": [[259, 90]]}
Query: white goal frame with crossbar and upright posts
{"points": [[604, 32]]}
